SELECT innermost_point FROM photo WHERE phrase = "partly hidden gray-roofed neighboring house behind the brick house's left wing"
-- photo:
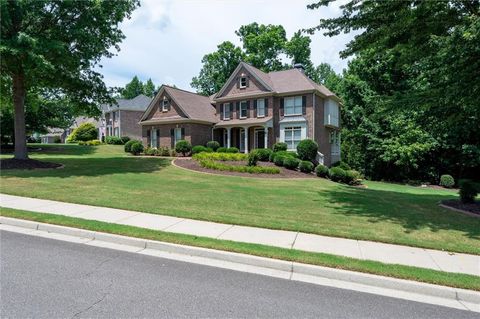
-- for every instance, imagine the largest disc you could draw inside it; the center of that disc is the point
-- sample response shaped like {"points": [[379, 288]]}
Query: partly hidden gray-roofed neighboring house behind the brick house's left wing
{"points": [[122, 119]]}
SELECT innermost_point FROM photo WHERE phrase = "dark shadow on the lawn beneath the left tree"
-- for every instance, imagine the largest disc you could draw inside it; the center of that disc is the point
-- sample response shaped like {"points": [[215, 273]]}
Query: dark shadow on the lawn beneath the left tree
{"points": [[89, 166]]}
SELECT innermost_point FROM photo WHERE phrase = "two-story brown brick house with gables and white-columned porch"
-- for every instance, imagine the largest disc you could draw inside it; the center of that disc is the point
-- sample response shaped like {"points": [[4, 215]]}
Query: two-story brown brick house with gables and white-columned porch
{"points": [[253, 110]]}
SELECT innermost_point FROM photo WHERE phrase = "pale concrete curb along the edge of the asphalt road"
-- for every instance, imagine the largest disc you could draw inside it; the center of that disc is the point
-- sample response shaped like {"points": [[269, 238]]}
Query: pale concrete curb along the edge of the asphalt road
{"points": [[294, 268]]}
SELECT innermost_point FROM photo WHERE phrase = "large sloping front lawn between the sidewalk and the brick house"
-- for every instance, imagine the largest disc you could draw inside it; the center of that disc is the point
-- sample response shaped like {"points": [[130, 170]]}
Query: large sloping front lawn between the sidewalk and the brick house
{"points": [[106, 176]]}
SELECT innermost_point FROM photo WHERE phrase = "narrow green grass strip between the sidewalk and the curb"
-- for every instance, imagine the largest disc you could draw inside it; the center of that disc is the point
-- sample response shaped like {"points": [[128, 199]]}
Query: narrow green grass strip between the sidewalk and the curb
{"points": [[373, 267]]}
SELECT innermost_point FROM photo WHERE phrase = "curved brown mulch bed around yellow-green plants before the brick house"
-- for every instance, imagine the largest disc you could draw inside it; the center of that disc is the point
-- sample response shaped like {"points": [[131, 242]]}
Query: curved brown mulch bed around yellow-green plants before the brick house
{"points": [[284, 173]]}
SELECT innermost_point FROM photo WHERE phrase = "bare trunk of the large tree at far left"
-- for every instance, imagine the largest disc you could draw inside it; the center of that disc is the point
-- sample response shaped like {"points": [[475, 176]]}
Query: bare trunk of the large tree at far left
{"points": [[19, 94]]}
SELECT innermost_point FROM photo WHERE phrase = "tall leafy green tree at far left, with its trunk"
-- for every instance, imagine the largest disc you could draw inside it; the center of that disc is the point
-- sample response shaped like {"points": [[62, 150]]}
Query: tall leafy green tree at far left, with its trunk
{"points": [[56, 44]]}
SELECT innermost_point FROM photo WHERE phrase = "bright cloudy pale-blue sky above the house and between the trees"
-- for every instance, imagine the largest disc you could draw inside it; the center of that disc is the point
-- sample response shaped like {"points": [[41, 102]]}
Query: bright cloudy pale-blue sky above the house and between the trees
{"points": [[166, 39]]}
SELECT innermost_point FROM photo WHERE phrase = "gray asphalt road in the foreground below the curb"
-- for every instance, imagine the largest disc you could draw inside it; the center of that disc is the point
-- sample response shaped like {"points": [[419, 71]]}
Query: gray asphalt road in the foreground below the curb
{"points": [[44, 278]]}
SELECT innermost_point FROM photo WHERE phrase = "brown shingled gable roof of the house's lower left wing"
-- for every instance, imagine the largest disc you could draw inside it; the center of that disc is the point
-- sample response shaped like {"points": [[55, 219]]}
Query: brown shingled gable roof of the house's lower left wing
{"points": [[194, 106]]}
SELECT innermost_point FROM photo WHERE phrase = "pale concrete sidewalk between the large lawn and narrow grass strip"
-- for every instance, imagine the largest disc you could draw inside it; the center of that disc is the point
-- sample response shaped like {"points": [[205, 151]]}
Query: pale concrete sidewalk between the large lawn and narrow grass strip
{"points": [[387, 253]]}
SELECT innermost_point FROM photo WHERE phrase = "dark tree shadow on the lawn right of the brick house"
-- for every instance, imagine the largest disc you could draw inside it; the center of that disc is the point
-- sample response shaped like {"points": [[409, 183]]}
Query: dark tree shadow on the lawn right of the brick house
{"points": [[411, 211]]}
